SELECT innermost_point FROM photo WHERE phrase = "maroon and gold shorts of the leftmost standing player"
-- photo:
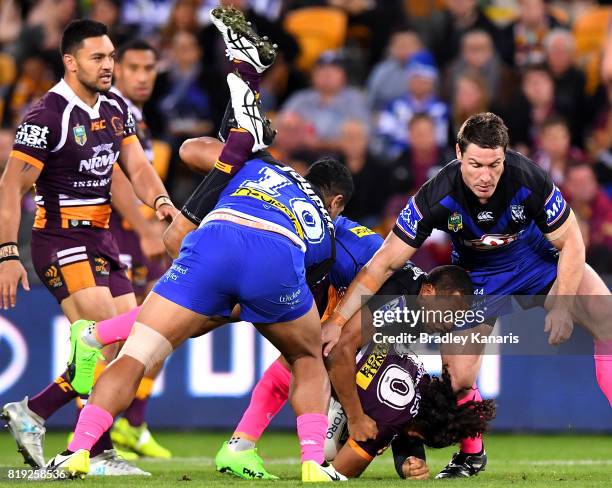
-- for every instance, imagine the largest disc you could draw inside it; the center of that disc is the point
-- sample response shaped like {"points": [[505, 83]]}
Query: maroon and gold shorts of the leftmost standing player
{"points": [[68, 260]]}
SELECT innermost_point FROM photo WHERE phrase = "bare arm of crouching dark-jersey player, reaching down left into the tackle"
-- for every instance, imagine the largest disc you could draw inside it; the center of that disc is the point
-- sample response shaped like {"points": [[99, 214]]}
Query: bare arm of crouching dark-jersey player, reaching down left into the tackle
{"points": [[389, 258]]}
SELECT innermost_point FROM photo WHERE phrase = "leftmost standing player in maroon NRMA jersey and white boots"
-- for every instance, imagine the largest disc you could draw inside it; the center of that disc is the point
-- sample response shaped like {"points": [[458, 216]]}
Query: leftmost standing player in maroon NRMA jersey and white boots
{"points": [[68, 144]]}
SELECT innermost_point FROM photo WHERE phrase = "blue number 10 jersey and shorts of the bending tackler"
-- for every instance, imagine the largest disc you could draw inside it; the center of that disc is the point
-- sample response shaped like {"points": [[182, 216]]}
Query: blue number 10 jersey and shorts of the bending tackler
{"points": [[260, 266]]}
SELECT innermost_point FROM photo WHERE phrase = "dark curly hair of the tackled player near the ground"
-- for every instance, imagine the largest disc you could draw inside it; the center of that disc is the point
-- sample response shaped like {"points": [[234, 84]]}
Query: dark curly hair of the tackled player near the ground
{"points": [[441, 421]]}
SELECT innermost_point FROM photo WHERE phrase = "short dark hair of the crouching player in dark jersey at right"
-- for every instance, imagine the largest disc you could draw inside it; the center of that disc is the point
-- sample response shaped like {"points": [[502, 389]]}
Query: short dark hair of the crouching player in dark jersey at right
{"points": [[485, 130]]}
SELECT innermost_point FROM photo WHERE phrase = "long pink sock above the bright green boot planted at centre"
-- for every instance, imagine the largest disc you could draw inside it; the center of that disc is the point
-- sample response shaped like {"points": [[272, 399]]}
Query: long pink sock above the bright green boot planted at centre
{"points": [[269, 396]]}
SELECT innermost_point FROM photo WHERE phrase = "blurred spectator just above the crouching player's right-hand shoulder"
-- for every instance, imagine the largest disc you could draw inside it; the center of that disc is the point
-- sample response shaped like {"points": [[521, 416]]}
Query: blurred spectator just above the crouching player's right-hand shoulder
{"points": [[556, 153]]}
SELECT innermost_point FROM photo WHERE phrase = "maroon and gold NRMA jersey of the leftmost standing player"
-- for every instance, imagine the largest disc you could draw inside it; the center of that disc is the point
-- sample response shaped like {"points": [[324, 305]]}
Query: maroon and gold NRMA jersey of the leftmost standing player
{"points": [[75, 146]]}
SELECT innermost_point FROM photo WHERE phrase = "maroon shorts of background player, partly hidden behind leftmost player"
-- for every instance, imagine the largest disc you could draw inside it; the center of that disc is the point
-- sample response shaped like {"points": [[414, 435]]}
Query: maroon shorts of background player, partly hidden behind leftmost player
{"points": [[141, 270]]}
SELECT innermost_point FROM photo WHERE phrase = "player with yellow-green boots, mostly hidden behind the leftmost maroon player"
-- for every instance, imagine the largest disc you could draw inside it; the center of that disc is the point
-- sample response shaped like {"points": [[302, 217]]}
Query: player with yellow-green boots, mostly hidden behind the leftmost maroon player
{"points": [[141, 247]]}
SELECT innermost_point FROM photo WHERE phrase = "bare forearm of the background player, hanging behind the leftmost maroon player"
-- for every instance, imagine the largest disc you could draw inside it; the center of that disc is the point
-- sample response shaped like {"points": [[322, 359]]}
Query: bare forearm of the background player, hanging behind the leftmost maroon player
{"points": [[128, 205]]}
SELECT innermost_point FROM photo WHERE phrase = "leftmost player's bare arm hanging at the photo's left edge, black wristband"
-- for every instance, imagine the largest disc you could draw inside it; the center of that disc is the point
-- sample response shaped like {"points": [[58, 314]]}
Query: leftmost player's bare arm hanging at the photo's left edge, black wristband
{"points": [[17, 179]]}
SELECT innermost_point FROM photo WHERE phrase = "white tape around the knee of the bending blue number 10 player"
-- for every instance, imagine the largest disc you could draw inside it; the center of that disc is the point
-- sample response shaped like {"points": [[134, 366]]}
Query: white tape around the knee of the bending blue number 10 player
{"points": [[147, 346]]}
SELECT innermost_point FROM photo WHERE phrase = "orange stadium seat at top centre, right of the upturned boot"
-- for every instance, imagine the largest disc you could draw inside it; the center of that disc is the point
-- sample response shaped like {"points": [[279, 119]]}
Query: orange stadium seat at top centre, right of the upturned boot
{"points": [[316, 29]]}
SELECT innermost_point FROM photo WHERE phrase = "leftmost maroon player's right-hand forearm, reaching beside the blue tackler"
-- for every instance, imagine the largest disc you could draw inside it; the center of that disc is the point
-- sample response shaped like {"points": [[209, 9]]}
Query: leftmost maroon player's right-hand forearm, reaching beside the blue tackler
{"points": [[147, 184]]}
